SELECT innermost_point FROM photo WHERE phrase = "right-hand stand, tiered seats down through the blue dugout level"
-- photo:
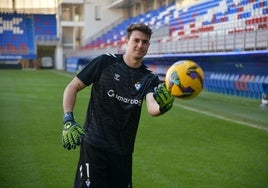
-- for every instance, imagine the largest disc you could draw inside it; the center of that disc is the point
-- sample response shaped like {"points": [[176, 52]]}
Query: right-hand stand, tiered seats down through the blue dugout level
{"points": [[235, 28]]}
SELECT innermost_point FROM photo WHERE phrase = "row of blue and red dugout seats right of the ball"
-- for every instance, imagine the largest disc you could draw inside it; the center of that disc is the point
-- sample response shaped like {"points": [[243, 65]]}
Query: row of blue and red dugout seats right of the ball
{"points": [[245, 85]]}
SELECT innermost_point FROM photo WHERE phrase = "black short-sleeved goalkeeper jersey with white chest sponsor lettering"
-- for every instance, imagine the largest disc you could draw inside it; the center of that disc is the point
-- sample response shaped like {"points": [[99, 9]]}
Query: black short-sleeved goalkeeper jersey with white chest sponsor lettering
{"points": [[115, 103]]}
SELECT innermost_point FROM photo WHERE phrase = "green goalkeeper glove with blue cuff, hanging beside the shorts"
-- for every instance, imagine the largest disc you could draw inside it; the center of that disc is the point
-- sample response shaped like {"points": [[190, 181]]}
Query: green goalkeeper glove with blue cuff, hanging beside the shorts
{"points": [[72, 132]]}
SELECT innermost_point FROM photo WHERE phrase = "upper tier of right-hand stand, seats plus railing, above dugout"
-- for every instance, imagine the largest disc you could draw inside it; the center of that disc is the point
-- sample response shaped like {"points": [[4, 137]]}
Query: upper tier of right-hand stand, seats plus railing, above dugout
{"points": [[232, 19]]}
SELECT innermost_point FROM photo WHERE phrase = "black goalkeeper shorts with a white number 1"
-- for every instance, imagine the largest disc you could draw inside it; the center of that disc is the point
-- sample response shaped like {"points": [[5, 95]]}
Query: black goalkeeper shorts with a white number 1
{"points": [[99, 169]]}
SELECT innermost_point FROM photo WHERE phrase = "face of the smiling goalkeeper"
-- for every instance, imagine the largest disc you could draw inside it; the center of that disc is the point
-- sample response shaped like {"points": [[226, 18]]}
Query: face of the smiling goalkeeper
{"points": [[137, 45]]}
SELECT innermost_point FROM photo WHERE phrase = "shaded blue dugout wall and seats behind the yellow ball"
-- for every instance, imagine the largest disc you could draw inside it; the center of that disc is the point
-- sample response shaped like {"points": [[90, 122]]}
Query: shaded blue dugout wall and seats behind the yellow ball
{"points": [[243, 74]]}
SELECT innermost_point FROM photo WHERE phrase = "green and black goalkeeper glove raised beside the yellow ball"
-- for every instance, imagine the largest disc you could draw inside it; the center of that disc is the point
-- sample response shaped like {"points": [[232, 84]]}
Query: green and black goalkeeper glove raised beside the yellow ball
{"points": [[163, 98]]}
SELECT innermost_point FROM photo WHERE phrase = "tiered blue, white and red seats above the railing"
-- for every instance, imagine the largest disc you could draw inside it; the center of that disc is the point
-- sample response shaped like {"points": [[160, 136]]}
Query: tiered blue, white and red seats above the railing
{"points": [[204, 17]]}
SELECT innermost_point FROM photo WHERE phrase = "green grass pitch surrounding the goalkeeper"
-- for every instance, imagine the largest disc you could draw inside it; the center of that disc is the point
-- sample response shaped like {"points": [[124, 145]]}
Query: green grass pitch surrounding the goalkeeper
{"points": [[180, 149]]}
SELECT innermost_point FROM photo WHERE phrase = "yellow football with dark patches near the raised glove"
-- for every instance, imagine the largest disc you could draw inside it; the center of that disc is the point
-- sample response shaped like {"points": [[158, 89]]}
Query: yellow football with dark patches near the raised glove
{"points": [[184, 79]]}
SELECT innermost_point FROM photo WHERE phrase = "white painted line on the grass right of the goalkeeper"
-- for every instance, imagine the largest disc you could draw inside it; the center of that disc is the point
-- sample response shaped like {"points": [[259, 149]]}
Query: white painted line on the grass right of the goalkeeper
{"points": [[222, 117]]}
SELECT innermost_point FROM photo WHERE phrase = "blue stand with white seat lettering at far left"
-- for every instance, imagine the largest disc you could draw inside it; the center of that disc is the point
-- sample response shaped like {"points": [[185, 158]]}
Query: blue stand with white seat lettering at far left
{"points": [[19, 34]]}
